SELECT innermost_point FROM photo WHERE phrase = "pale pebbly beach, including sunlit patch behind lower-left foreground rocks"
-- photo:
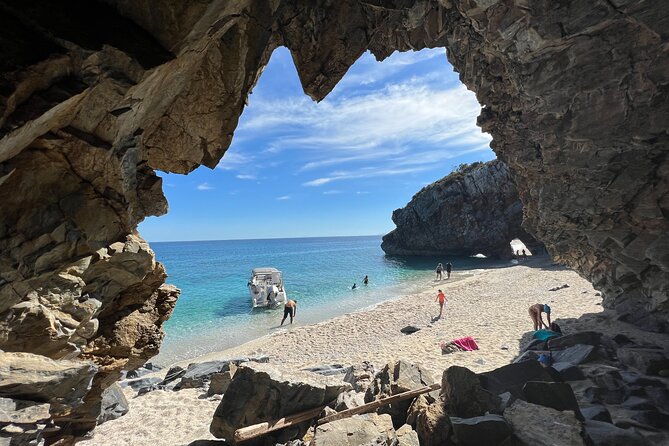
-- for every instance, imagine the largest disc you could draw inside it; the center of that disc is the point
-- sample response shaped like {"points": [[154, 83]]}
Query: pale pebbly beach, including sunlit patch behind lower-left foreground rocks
{"points": [[490, 305]]}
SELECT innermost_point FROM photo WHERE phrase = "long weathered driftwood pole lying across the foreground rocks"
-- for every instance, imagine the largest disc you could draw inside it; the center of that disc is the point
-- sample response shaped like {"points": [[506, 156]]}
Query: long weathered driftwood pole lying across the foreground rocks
{"points": [[260, 429]]}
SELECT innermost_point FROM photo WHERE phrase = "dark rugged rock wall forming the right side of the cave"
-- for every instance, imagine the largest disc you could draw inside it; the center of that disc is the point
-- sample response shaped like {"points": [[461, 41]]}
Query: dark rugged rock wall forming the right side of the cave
{"points": [[575, 96]]}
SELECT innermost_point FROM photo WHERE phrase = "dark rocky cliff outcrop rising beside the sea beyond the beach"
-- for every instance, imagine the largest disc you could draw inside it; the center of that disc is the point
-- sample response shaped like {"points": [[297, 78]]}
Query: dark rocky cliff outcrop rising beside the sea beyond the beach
{"points": [[471, 211]]}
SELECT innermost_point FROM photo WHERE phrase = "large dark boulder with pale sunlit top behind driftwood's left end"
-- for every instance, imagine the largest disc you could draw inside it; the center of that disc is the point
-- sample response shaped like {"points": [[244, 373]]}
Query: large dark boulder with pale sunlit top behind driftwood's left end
{"points": [[262, 392]]}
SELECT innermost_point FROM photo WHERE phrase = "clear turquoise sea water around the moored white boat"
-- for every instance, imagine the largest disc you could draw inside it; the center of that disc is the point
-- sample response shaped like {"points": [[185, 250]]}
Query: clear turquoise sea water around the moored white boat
{"points": [[214, 310]]}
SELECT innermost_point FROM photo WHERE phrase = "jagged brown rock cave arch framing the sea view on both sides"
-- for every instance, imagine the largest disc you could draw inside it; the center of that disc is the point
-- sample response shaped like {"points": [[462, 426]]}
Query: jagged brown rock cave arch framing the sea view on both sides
{"points": [[96, 95]]}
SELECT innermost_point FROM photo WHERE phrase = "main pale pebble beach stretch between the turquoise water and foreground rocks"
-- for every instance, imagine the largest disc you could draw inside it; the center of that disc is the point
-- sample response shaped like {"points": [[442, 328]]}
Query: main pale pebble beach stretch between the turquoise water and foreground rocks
{"points": [[352, 338]]}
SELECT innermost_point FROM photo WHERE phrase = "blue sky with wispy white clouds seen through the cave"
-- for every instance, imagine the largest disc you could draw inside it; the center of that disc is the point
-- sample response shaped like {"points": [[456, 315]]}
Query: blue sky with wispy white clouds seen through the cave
{"points": [[340, 167]]}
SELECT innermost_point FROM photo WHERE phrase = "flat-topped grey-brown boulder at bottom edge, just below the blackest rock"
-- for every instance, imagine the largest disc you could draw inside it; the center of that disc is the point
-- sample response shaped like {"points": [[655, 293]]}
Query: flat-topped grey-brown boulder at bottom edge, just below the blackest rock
{"points": [[543, 426]]}
